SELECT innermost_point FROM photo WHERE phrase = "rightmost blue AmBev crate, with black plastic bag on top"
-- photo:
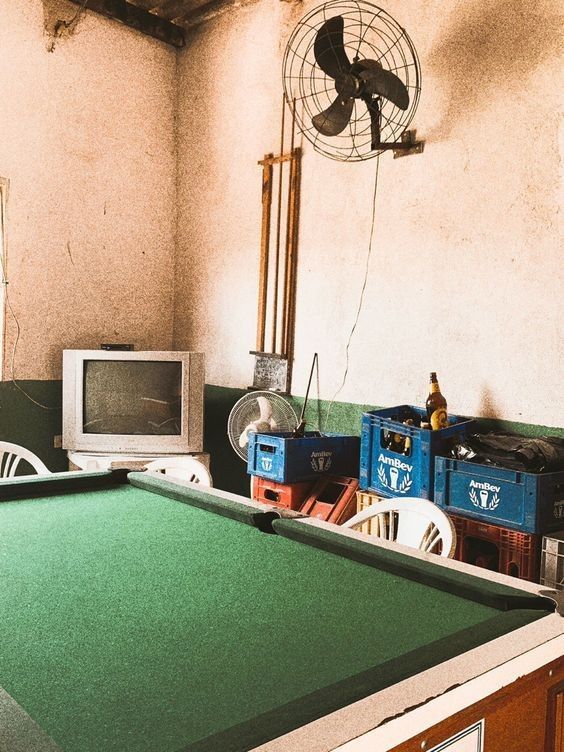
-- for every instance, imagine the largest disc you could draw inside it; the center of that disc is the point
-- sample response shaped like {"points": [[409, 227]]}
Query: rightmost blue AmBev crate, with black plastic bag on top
{"points": [[528, 502]]}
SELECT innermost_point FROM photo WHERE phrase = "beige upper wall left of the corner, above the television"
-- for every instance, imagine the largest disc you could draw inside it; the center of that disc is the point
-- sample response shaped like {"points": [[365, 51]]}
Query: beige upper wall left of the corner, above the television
{"points": [[88, 144]]}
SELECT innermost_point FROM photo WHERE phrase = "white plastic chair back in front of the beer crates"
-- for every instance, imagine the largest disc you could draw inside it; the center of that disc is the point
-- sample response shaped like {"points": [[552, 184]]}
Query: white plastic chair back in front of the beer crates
{"points": [[411, 521]]}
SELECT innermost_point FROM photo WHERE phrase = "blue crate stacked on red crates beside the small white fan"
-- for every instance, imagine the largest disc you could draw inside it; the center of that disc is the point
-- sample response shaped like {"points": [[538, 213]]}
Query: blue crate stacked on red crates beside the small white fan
{"points": [[314, 474]]}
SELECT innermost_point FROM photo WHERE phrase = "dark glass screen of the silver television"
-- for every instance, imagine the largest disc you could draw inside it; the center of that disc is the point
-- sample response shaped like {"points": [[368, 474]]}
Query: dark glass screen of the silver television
{"points": [[132, 397]]}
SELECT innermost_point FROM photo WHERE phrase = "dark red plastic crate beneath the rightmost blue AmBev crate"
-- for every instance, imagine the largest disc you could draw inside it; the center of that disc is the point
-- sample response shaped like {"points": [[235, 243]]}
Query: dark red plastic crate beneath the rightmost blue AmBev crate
{"points": [[498, 548]]}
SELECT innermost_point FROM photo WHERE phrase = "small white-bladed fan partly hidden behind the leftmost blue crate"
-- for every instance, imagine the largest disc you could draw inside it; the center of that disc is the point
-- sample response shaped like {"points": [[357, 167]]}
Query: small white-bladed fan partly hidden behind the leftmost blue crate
{"points": [[260, 412]]}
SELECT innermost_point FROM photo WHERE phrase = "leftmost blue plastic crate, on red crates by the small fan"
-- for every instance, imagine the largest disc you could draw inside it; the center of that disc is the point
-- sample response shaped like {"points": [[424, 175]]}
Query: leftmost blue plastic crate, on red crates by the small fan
{"points": [[285, 459]]}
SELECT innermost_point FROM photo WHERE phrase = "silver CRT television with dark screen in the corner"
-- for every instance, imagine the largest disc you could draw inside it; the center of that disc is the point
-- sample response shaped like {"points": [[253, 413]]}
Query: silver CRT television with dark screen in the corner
{"points": [[133, 402]]}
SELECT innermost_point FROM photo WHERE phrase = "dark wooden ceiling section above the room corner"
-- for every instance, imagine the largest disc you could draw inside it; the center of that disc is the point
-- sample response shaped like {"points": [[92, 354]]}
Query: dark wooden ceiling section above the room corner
{"points": [[167, 20]]}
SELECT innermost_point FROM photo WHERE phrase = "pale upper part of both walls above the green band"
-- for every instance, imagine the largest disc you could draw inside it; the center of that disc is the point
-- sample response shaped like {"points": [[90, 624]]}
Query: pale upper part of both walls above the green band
{"points": [[465, 275]]}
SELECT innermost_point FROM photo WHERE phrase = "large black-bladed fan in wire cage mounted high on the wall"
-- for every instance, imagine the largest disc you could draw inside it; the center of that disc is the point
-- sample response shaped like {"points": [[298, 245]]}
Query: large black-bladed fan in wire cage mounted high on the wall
{"points": [[352, 79]]}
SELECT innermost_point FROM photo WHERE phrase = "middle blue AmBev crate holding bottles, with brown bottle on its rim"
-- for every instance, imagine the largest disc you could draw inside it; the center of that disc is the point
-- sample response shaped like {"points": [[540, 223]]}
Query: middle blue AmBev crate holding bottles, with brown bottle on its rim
{"points": [[390, 473]]}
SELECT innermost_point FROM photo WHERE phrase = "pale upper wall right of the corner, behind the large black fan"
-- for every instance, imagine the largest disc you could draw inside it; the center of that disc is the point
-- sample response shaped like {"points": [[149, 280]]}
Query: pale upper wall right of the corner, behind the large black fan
{"points": [[465, 274]]}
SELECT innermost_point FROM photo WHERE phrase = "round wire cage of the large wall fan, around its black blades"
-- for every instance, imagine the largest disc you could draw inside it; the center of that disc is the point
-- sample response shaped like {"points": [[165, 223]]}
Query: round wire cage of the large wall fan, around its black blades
{"points": [[369, 33]]}
